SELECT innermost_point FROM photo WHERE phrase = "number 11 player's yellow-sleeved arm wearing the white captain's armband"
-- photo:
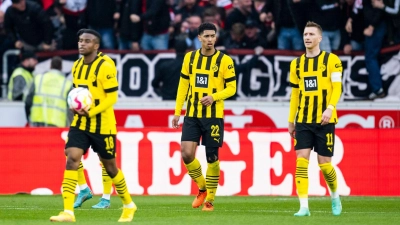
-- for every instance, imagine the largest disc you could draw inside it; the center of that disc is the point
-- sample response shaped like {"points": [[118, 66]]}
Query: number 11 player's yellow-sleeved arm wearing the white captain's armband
{"points": [[336, 79]]}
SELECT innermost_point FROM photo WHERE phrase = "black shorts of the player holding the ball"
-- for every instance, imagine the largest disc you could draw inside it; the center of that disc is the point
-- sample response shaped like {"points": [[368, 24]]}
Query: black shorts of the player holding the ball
{"points": [[102, 144]]}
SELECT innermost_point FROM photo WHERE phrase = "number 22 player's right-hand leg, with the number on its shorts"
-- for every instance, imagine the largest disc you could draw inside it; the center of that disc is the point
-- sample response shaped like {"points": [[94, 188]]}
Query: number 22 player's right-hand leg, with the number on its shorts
{"points": [[213, 137]]}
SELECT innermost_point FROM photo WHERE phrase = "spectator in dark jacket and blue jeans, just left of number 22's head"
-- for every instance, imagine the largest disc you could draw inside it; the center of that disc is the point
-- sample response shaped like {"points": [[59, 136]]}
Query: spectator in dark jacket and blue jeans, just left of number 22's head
{"points": [[156, 19]]}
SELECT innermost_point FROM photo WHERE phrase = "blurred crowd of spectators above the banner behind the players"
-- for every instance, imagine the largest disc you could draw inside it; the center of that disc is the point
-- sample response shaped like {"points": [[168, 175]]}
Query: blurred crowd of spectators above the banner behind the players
{"points": [[47, 25]]}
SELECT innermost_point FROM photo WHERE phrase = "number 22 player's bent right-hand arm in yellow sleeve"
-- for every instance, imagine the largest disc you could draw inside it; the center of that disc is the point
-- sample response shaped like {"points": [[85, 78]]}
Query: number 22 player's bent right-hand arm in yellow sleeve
{"points": [[230, 80]]}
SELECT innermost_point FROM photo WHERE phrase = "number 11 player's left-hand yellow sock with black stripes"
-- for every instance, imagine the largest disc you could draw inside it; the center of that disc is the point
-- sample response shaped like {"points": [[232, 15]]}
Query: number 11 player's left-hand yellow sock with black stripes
{"points": [[301, 177]]}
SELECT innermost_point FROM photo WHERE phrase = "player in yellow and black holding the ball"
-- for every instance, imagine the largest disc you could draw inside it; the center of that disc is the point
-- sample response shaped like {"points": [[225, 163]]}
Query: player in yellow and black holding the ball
{"points": [[95, 128]]}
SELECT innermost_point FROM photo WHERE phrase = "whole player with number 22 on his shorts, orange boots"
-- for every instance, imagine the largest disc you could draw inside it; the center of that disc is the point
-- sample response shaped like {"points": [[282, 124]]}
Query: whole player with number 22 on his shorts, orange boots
{"points": [[204, 75]]}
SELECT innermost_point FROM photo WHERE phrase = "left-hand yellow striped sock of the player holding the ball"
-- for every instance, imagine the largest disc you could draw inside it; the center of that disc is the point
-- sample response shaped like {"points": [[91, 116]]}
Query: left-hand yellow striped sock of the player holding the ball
{"points": [[68, 189]]}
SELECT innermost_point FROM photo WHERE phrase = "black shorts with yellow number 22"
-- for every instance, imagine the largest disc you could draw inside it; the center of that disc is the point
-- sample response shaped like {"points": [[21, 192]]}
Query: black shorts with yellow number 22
{"points": [[211, 130]]}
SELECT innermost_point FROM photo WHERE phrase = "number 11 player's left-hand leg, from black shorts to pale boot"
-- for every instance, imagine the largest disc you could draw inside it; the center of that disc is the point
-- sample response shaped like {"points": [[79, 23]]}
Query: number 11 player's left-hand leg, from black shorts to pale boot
{"points": [[302, 144]]}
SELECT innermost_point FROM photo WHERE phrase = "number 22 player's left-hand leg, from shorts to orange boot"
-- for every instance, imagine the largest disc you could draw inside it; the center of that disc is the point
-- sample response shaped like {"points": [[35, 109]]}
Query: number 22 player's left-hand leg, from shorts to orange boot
{"points": [[190, 138]]}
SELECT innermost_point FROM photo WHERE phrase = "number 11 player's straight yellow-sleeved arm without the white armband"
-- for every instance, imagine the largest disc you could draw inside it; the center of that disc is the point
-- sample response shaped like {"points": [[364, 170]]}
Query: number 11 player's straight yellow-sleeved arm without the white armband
{"points": [[294, 97]]}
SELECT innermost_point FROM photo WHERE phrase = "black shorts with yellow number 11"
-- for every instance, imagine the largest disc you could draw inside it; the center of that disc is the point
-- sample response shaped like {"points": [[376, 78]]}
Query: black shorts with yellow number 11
{"points": [[317, 136]]}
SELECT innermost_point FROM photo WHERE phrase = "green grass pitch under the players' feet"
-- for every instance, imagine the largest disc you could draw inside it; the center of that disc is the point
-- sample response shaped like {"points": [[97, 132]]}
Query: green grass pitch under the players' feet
{"points": [[32, 210]]}
